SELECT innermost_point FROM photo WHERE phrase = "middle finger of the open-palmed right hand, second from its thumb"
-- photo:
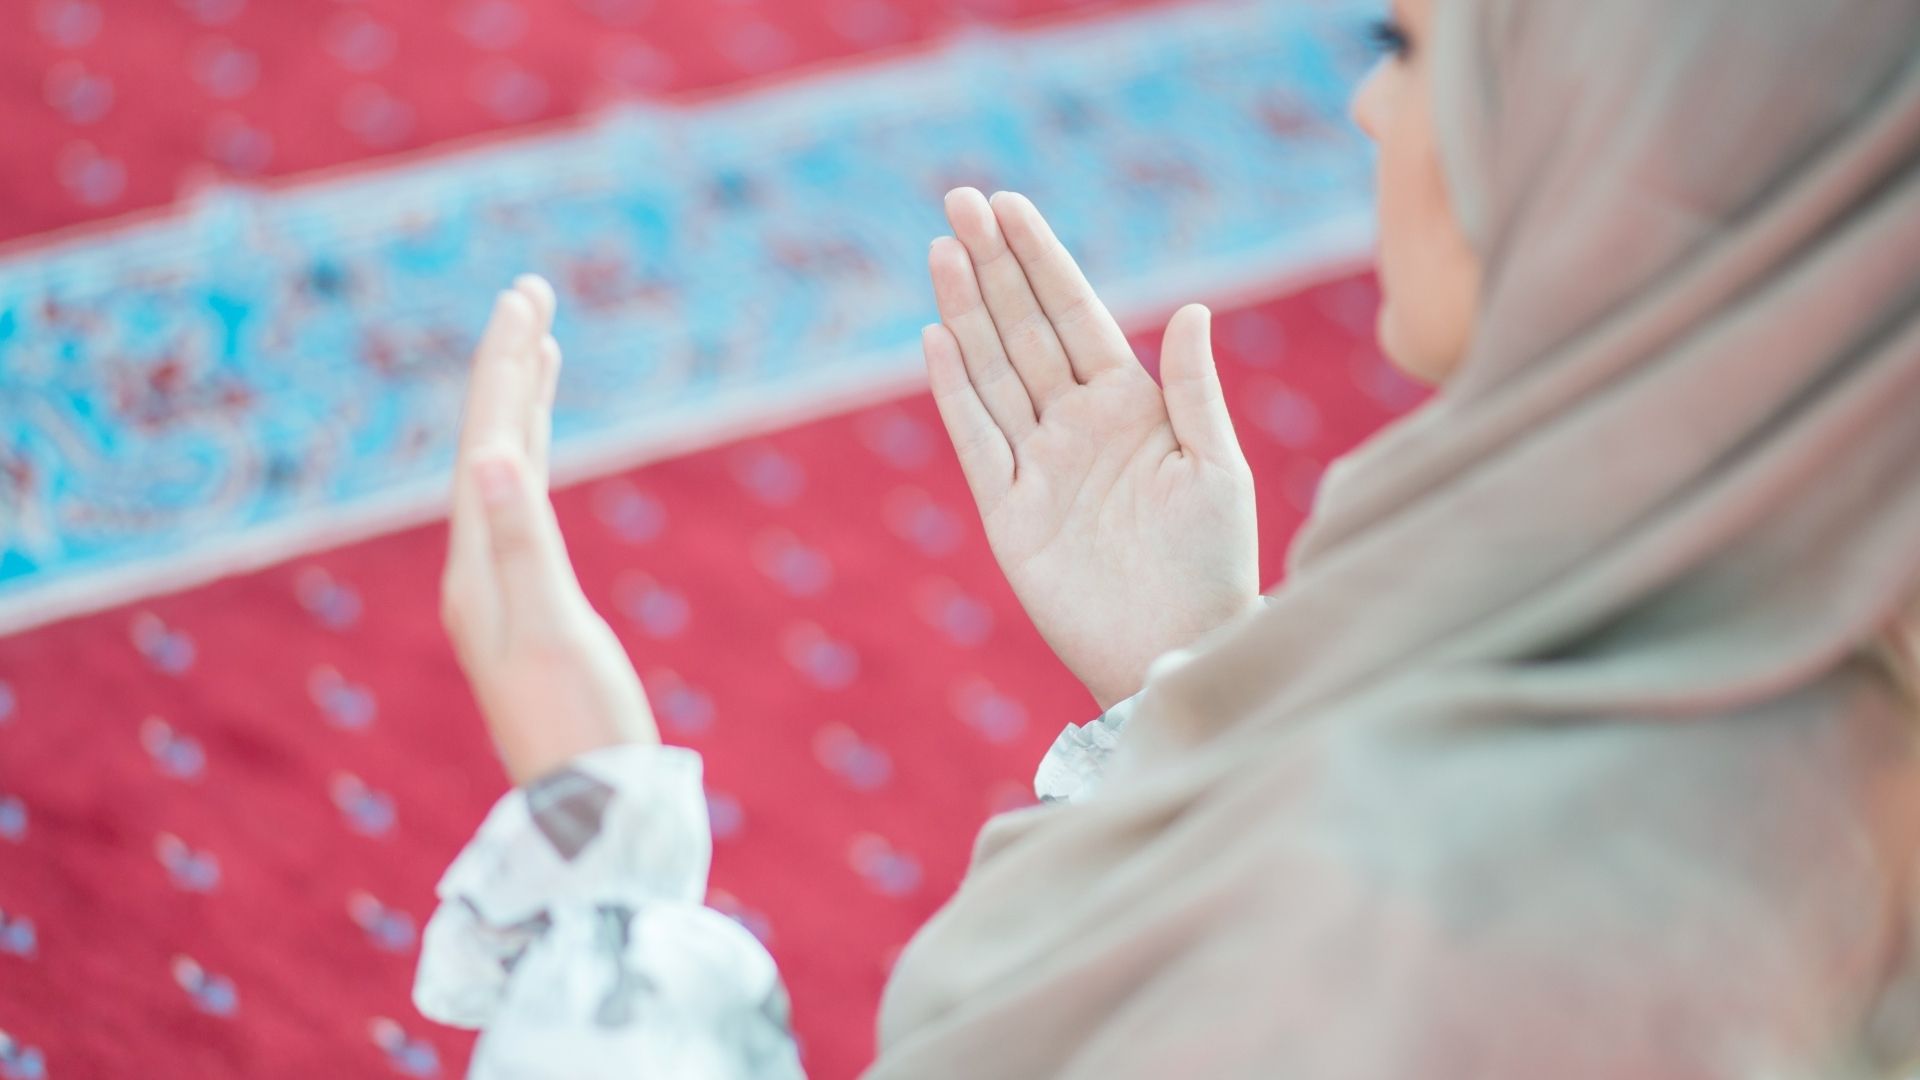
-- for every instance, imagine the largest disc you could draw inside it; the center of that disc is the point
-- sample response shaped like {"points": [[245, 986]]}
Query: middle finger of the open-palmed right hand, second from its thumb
{"points": [[1024, 330]]}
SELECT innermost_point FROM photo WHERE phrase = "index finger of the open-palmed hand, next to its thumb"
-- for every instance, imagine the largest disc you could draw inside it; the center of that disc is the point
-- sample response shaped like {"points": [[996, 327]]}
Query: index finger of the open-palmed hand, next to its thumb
{"points": [[1086, 328]]}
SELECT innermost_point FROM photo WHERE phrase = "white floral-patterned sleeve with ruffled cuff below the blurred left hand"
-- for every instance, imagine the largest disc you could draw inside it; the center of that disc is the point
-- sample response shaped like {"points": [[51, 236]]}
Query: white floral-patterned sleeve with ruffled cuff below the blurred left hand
{"points": [[573, 933]]}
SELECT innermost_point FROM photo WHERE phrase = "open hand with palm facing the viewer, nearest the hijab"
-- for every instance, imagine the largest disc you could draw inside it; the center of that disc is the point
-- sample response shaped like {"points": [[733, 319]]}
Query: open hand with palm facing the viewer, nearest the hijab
{"points": [[1120, 510]]}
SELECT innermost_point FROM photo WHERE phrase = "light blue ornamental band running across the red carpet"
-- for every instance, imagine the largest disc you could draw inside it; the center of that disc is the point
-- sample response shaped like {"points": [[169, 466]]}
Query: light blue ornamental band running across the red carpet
{"points": [[272, 355]]}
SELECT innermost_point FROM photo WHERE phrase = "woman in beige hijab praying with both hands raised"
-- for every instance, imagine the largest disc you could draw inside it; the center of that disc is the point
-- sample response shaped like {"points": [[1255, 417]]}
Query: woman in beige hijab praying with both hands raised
{"points": [[1579, 741]]}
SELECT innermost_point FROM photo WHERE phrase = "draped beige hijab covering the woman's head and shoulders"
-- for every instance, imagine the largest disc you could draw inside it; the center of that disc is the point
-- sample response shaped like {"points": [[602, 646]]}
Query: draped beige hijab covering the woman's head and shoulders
{"points": [[1564, 750]]}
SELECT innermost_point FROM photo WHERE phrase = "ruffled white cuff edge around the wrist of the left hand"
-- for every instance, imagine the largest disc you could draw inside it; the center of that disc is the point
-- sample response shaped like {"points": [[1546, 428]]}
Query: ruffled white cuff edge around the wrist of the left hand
{"points": [[617, 829]]}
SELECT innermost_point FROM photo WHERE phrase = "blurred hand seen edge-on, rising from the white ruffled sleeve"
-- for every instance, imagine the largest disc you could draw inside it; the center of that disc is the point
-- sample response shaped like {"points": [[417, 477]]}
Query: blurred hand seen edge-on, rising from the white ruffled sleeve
{"points": [[548, 672]]}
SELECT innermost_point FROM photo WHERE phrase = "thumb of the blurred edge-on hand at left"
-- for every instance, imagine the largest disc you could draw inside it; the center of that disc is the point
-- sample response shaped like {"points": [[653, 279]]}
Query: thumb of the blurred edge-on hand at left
{"points": [[525, 545]]}
